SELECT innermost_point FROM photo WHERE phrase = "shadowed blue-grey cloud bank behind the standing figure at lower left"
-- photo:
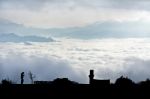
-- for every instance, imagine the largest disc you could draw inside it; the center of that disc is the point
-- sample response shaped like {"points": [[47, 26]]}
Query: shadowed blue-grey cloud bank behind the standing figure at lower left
{"points": [[43, 67]]}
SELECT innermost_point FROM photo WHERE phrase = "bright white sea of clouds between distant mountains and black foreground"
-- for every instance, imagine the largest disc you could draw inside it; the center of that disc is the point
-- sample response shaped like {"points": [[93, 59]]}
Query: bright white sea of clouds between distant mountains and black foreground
{"points": [[73, 58]]}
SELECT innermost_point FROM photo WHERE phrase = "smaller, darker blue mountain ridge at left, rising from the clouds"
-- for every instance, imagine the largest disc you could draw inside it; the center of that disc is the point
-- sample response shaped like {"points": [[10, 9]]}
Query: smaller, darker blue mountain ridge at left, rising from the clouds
{"points": [[11, 37]]}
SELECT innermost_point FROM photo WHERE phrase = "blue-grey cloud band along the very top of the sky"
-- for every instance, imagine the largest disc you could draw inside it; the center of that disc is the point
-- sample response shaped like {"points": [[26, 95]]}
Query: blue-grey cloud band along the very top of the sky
{"points": [[36, 4]]}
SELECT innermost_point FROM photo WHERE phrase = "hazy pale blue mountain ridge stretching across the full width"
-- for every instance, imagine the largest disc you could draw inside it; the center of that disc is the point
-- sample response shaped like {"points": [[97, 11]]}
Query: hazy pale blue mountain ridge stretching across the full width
{"points": [[111, 29]]}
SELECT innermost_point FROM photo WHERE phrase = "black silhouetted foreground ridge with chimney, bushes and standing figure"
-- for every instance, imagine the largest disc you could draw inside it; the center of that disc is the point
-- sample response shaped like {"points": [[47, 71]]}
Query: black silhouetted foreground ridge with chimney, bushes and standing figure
{"points": [[64, 88]]}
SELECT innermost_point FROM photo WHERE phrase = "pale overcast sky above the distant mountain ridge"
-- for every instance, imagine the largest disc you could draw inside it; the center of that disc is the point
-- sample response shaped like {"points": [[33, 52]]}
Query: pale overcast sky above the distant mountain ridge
{"points": [[73, 13]]}
